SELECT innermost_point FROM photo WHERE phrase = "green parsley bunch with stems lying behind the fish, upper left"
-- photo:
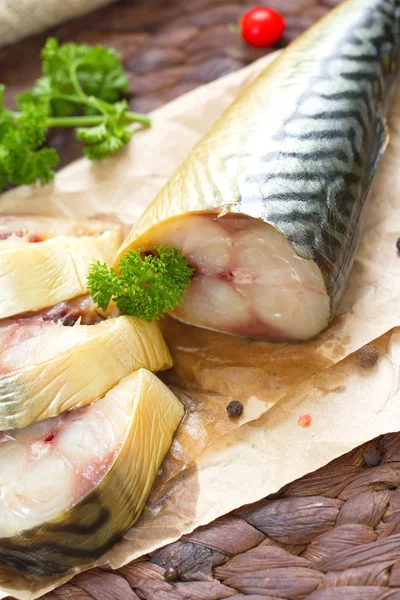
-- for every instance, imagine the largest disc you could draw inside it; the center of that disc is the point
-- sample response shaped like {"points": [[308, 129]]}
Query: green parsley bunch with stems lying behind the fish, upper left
{"points": [[81, 87]]}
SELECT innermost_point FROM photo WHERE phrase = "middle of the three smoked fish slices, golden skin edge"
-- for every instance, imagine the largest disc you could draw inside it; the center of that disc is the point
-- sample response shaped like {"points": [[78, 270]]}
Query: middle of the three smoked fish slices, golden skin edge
{"points": [[47, 368]]}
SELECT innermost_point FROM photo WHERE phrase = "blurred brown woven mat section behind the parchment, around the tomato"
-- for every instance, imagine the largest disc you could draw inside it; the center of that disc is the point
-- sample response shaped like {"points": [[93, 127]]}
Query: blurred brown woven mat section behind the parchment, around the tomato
{"points": [[169, 47]]}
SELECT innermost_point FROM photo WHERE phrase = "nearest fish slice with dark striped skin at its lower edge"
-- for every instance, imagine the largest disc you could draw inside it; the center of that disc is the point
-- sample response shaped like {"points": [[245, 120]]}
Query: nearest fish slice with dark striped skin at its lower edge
{"points": [[72, 485]]}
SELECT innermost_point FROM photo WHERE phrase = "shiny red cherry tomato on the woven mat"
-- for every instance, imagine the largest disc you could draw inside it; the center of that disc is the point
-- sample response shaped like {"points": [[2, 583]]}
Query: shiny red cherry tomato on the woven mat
{"points": [[262, 27]]}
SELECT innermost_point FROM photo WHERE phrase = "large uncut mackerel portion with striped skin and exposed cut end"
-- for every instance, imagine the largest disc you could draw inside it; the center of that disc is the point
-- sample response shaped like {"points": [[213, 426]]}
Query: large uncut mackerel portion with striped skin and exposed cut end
{"points": [[271, 198]]}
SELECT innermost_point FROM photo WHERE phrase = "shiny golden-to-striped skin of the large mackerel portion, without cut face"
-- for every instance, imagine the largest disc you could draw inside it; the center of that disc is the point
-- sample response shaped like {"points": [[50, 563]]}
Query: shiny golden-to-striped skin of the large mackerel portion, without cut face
{"points": [[299, 148]]}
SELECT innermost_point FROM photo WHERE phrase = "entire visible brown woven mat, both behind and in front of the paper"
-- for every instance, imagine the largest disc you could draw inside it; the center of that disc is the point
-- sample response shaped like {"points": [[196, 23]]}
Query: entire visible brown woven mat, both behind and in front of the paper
{"points": [[333, 535]]}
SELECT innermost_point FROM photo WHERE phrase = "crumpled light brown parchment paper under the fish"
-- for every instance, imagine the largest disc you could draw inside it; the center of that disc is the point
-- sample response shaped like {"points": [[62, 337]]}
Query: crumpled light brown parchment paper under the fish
{"points": [[216, 464]]}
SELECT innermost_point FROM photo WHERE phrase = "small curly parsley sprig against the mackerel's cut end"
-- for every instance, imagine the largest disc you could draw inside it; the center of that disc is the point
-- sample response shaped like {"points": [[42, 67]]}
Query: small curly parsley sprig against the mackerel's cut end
{"points": [[145, 287]]}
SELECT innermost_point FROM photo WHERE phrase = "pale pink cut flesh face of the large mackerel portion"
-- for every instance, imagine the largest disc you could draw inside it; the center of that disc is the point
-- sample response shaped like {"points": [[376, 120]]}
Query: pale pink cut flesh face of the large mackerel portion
{"points": [[248, 278]]}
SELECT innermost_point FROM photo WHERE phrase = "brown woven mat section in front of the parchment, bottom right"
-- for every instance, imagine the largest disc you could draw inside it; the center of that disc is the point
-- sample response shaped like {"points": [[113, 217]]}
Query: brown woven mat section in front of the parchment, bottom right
{"points": [[332, 535]]}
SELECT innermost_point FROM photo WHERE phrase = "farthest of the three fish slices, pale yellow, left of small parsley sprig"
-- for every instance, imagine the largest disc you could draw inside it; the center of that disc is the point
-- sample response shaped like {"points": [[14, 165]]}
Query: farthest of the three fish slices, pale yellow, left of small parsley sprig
{"points": [[44, 261]]}
